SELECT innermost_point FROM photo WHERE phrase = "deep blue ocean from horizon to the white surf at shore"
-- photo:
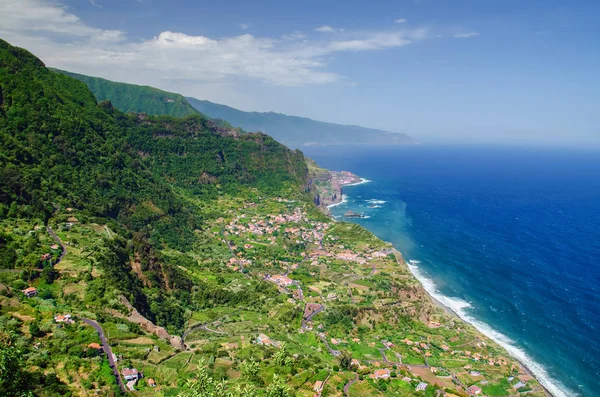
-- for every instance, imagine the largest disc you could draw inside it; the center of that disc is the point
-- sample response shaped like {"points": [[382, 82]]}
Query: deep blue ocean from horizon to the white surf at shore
{"points": [[508, 237]]}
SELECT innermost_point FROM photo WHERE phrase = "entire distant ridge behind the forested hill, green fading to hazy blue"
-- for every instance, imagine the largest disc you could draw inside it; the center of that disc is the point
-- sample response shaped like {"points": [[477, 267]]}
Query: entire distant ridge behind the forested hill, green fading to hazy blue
{"points": [[294, 132]]}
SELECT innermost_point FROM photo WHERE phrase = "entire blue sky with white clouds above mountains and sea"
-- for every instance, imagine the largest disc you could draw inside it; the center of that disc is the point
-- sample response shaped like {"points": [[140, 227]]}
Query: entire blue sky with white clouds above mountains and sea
{"points": [[512, 71]]}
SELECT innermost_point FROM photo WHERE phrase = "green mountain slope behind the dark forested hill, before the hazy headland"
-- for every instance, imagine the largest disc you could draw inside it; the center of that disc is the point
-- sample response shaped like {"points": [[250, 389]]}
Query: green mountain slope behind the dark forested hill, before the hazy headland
{"points": [[130, 98]]}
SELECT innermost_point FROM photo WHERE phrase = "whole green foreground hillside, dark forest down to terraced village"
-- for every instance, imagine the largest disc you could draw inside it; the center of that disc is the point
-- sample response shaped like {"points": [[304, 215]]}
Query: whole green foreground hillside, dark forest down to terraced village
{"points": [[178, 257]]}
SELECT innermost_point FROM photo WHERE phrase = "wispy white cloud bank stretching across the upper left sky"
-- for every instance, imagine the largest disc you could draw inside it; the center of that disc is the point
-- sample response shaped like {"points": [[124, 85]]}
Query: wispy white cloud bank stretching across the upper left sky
{"points": [[177, 61]]}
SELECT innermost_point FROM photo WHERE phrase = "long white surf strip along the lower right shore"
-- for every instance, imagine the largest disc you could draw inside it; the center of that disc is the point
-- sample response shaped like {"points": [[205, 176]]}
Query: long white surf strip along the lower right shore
{"points": [[461, 308]]}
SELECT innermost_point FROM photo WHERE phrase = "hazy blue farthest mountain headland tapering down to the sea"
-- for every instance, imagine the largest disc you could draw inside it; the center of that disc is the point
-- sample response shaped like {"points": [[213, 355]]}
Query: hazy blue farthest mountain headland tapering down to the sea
{"points": [[299, 131]]}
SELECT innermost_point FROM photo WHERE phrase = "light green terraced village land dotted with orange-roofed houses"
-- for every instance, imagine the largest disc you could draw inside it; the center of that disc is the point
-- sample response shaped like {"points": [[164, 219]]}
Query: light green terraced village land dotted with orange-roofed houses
{"points": [[353, 308]]}
